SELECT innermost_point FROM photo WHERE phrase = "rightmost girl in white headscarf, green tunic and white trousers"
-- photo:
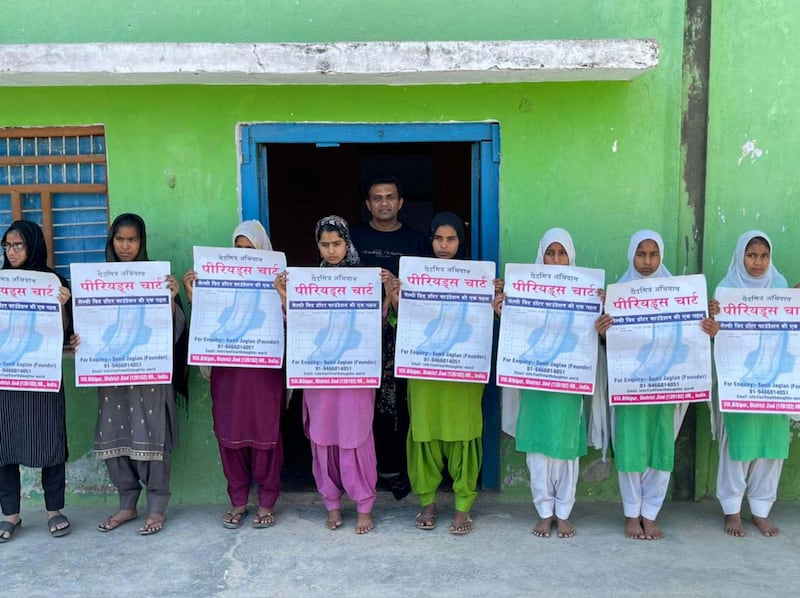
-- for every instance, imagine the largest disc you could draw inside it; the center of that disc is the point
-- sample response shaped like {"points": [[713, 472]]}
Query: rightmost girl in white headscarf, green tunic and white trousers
{"points": [[752, 446]]}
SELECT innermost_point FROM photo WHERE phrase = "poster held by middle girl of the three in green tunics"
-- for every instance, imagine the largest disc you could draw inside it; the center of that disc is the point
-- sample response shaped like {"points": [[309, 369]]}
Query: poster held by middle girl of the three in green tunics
{"points": [[657, 351]]}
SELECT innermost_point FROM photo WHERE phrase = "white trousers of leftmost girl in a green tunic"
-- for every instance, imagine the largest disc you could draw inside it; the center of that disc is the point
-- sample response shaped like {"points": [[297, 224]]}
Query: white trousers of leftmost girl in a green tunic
{"points": [[553, 484]]}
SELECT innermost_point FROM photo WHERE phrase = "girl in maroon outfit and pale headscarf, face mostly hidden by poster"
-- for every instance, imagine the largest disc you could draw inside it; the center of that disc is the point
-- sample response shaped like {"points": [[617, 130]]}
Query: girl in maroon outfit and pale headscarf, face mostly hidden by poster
{"points": [[246, 409]]}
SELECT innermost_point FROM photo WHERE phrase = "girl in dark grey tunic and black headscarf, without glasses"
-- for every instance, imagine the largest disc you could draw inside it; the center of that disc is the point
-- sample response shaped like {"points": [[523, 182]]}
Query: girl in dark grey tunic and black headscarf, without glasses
{"points": [[137, 428]]}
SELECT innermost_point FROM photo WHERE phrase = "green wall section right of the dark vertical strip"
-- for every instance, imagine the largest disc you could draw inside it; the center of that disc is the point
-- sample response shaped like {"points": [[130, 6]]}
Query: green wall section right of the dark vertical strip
{"points": [[754, 93]]}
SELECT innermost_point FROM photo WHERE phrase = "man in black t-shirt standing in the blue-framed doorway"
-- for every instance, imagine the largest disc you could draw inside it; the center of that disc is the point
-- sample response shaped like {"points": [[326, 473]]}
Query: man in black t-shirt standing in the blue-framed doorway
{"points": [[381, 242]]}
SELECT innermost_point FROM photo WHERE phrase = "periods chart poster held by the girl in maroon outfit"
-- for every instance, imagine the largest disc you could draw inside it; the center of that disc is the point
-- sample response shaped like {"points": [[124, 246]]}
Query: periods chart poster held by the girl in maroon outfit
{"points": [[237, 318]]}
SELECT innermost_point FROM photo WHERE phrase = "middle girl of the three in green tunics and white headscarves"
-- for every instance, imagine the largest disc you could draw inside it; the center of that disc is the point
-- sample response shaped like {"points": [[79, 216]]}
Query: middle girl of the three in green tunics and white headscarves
{"points": [[644, 435]]}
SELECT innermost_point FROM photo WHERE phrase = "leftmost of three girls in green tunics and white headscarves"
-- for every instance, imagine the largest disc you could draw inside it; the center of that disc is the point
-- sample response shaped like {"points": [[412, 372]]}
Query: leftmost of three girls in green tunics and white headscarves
{"points": [[551, 427]]}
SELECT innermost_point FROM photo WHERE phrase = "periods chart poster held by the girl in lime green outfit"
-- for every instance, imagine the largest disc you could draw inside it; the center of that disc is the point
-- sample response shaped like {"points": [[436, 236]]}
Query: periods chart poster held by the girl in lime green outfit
{"points": [[445, 320]]}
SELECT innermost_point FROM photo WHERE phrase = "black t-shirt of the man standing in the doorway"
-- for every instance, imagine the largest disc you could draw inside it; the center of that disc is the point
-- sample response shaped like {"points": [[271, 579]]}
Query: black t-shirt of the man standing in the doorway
{"points": [[383, 249]]}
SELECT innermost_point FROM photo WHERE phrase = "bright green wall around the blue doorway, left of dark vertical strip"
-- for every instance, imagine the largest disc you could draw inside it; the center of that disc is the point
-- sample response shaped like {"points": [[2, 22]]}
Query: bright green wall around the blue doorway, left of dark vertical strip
{"points": [[602, 159]]}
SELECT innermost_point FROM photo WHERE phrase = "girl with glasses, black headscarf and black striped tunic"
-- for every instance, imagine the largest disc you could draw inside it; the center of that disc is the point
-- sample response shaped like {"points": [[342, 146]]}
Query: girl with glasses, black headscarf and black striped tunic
{"points": [[33, 429]]}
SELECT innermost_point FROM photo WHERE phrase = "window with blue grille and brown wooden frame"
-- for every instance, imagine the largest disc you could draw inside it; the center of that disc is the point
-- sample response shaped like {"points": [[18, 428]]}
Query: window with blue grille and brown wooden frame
{"points": [[57, 177]]}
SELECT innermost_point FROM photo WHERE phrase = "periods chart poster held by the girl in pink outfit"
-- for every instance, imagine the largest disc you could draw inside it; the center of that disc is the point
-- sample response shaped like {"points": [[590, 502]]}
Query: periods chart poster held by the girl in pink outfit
{"points": [[333, 328]]}
